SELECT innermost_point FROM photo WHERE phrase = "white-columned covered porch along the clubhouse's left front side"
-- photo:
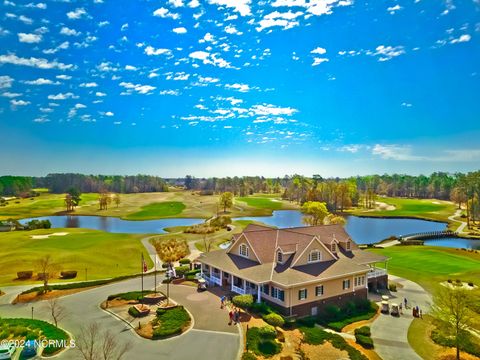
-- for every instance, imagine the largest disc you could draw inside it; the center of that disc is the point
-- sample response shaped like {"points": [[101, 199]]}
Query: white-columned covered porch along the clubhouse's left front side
{"points": [[217, 277]]}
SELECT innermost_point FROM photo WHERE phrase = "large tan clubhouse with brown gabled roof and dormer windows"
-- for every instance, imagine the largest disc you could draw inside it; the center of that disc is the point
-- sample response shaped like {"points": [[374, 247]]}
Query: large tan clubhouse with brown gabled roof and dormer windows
{"points": [[299, 270]]}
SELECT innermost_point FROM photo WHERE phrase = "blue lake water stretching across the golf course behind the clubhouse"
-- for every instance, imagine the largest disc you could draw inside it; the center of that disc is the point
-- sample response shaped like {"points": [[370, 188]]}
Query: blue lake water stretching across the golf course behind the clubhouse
{"points": [[362, 230]]}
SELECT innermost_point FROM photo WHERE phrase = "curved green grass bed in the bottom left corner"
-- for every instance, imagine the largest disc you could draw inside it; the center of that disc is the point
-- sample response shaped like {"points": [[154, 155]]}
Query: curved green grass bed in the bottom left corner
{"points": [[27, 329]]}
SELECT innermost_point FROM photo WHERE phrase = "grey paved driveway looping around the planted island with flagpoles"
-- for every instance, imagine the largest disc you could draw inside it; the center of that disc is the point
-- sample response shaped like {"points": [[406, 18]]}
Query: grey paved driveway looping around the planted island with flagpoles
{"points": [[211, 337]]}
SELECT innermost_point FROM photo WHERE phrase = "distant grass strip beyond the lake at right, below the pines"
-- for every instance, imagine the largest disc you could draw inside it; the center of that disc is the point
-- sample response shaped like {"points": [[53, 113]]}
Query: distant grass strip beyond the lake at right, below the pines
{"points": [[418, 208]]}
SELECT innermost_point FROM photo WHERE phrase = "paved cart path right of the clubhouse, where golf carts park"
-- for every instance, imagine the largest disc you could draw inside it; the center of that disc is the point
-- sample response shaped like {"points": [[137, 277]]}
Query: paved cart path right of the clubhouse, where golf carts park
{"points": [[389, 333]]}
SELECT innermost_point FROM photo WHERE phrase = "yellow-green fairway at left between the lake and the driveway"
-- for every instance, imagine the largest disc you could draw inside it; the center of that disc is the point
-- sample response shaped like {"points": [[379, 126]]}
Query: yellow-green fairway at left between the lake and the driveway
{"points": [[103, 254]]}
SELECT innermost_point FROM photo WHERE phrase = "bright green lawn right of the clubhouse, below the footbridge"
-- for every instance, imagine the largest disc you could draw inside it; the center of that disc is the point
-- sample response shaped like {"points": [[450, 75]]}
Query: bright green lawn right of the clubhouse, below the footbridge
{"points": [[430, 265]]}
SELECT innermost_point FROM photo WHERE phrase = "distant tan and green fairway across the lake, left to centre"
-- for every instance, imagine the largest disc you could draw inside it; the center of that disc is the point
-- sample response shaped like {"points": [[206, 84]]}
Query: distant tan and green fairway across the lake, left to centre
{"points": [[146, 206]]}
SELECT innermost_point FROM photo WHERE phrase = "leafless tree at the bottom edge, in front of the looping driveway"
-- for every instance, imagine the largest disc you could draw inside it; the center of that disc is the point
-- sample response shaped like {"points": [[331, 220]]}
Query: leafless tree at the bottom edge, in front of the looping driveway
{"points": [[95, 344]]}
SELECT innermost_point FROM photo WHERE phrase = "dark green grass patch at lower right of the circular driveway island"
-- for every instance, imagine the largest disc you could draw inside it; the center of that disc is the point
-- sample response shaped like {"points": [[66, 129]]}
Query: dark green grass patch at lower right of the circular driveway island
{"points": [[171, 322]]}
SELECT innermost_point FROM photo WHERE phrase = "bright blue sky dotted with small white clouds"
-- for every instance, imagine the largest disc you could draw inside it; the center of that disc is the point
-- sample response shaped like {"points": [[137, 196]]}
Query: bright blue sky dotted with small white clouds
{"points": [[238, 87]]}
